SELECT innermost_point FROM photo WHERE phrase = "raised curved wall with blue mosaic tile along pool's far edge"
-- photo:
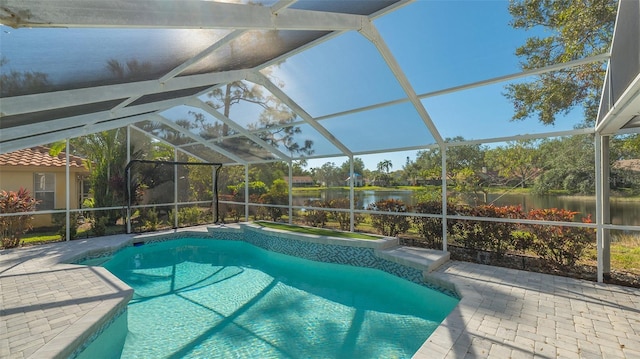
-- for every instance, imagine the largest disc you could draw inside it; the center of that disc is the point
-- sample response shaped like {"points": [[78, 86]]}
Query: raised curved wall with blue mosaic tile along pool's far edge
{"points": [[368, 253]]}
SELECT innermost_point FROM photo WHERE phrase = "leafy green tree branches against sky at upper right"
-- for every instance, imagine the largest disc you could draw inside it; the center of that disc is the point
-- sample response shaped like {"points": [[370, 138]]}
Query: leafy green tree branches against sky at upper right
{"points": [[578, 29]]}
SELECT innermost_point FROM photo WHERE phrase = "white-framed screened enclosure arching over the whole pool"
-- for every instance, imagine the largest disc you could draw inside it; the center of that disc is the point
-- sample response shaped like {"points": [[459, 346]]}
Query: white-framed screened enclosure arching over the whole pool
{"points": [[276, 85]]}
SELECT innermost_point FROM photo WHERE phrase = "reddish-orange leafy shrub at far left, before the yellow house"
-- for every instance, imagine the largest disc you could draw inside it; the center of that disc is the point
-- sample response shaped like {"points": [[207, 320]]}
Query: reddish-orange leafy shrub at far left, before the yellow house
{"points": [[13, 227]]}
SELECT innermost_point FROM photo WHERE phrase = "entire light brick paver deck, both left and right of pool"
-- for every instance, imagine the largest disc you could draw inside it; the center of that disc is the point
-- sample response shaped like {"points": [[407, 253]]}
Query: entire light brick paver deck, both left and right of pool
{"points": [[48, 307]]}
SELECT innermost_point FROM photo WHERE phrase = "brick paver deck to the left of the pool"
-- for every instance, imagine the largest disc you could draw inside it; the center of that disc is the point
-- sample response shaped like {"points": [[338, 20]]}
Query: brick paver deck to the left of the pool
{"points": [[47, 308]]}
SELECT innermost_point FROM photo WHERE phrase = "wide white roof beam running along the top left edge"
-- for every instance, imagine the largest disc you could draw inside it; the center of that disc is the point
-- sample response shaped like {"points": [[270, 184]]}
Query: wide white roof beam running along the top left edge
{"points": [[169, 14]]}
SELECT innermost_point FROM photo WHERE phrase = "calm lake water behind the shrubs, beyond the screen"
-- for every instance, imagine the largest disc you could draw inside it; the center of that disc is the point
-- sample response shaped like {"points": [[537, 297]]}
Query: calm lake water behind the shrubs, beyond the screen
{"points": [[623, 212]]}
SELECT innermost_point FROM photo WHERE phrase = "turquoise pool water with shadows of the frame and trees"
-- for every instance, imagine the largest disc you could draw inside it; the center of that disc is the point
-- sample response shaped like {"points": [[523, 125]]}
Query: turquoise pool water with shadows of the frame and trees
{"points": [[199, 298]]}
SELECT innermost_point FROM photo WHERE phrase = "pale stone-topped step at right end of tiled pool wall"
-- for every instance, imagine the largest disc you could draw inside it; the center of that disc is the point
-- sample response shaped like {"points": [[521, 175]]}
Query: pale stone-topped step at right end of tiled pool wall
{"points": [[424, 259]]}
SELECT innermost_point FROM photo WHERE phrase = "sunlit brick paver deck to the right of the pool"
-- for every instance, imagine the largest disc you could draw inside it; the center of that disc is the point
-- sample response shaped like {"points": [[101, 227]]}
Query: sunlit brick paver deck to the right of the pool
{"points": [[506, 313]]}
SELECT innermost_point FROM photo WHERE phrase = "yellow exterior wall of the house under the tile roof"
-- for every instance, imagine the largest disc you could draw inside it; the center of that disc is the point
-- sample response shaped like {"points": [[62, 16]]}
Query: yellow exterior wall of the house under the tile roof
{"points": [[13, 178]]}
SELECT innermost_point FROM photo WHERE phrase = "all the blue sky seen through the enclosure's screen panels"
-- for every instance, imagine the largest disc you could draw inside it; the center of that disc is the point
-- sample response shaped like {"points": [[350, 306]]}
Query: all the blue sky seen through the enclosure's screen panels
{"points": [[437, 45]]}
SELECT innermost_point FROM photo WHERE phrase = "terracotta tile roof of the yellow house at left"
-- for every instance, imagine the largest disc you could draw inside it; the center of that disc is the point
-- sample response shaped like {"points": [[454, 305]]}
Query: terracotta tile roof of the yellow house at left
{"points": [[38, 156]]}
